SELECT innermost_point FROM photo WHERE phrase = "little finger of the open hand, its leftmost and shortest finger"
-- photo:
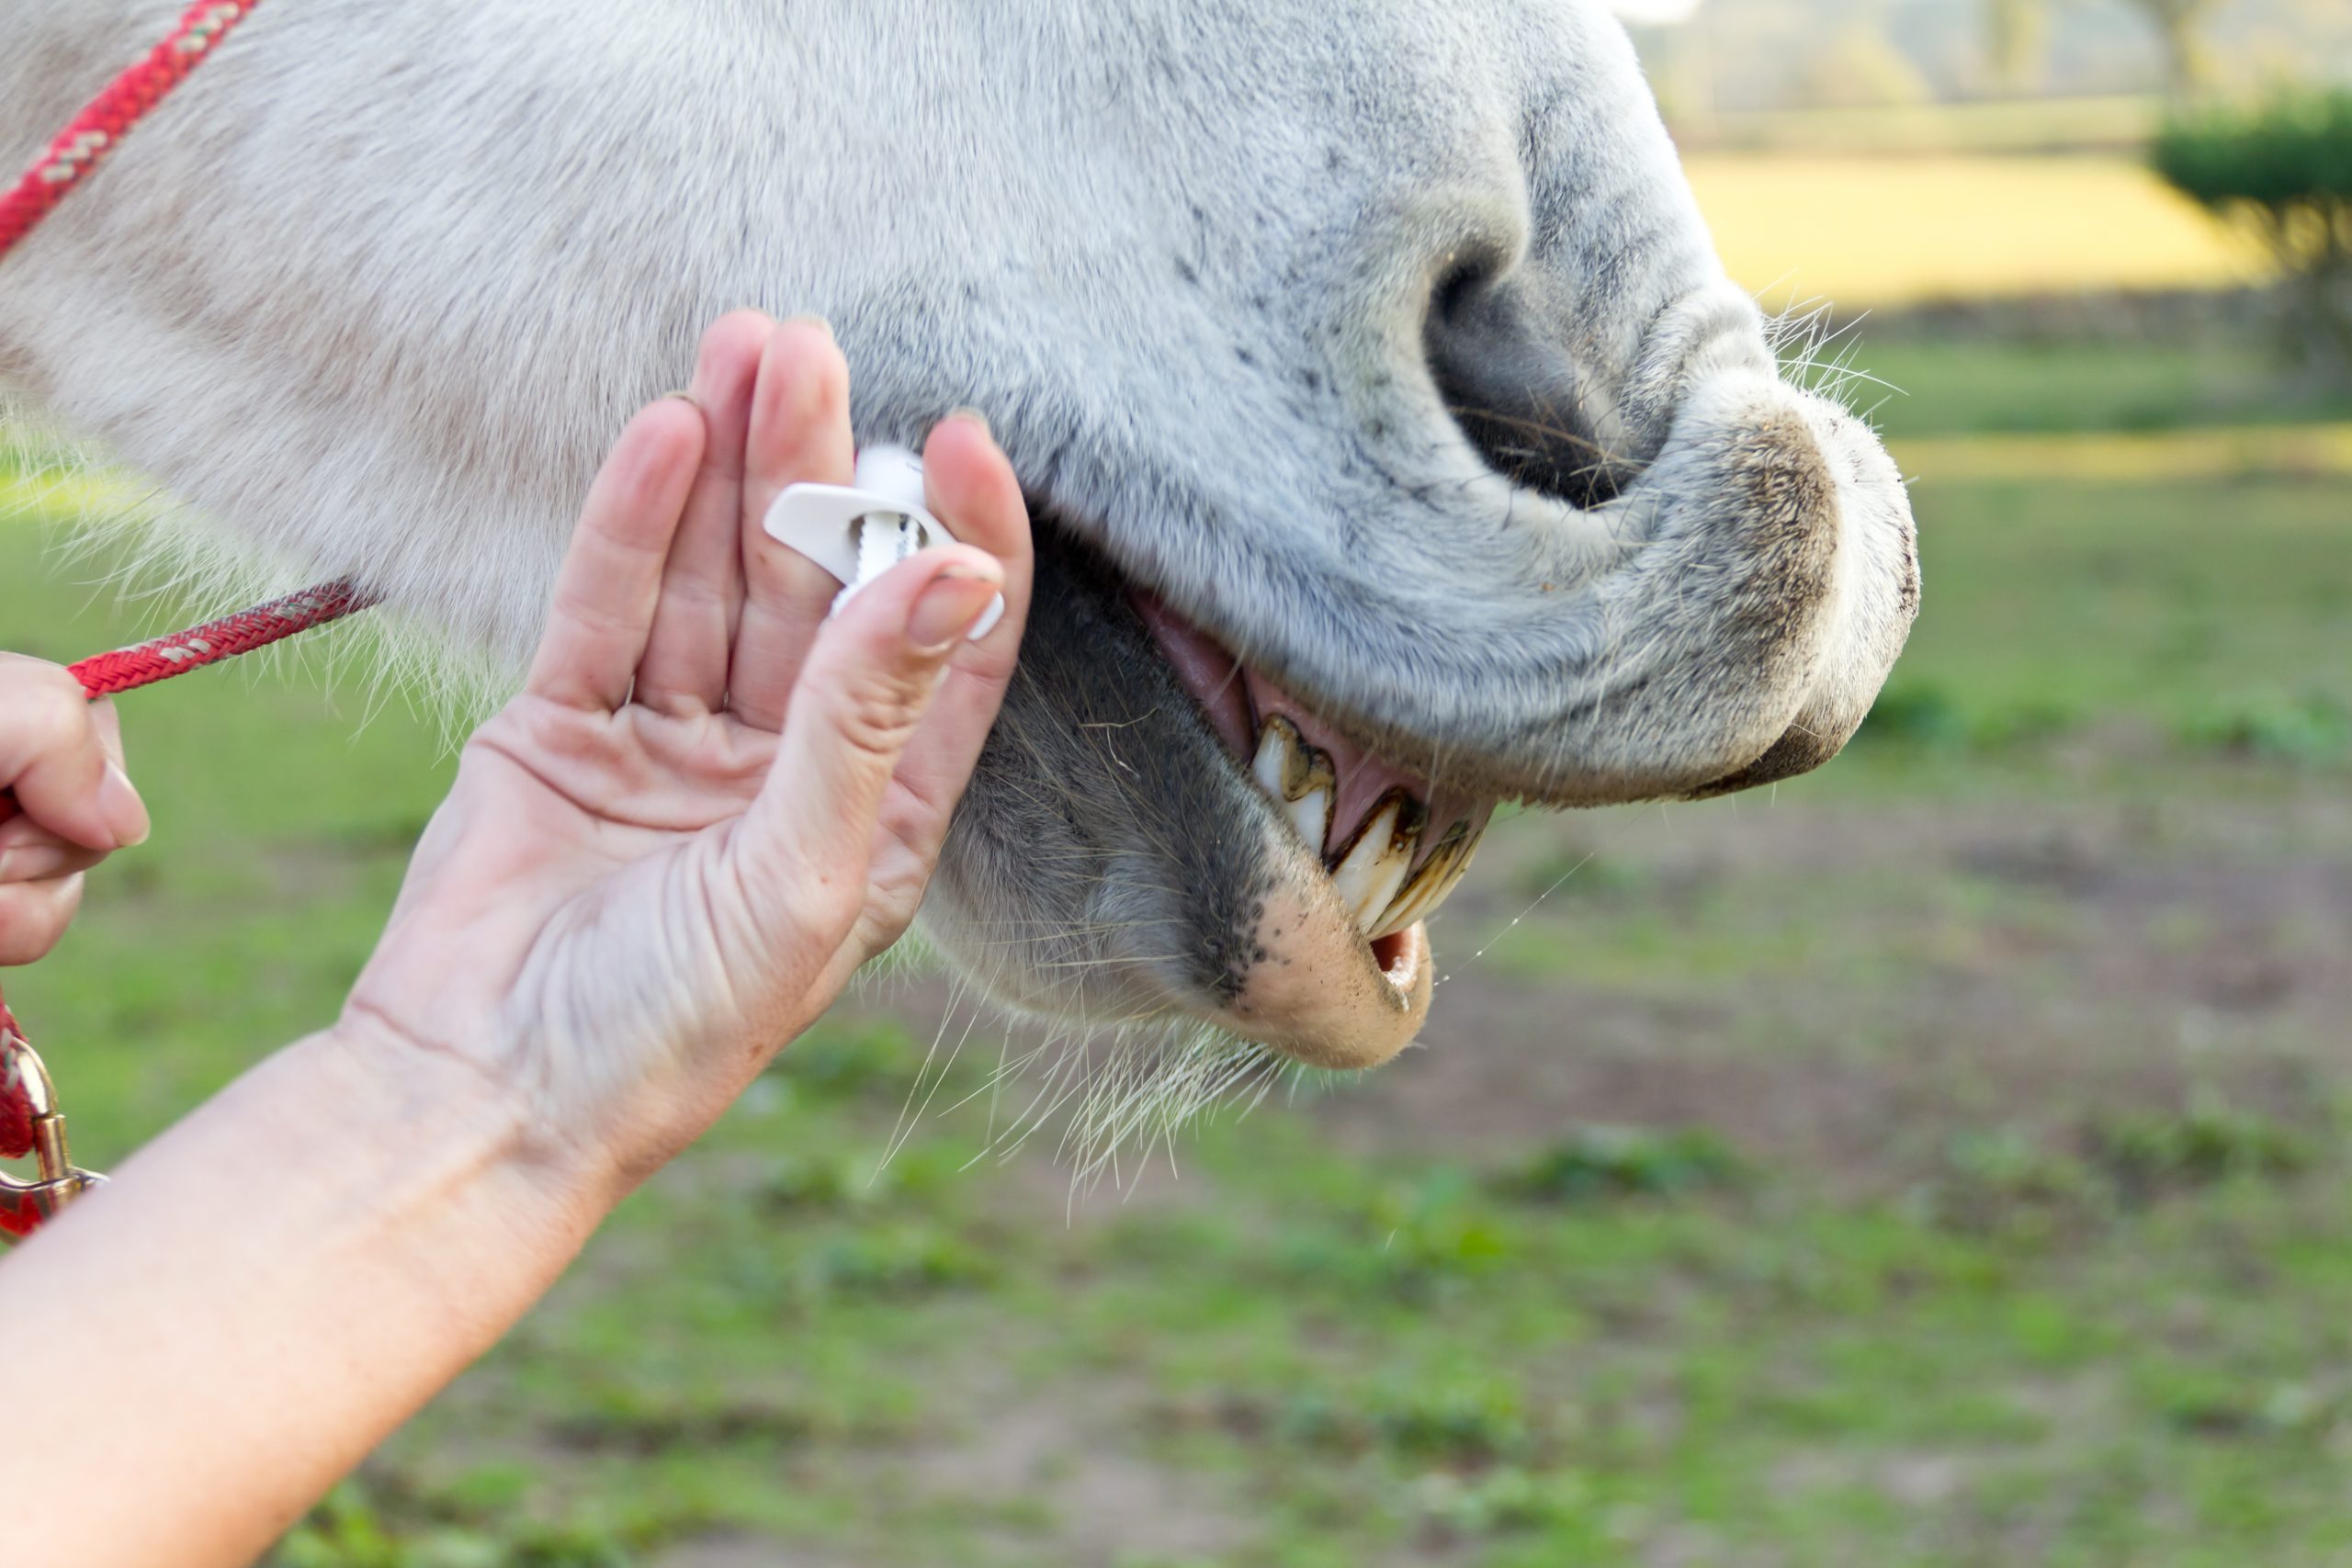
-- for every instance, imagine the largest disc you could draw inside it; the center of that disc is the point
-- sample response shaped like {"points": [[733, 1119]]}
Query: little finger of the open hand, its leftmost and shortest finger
{"points": [[610, 582]]}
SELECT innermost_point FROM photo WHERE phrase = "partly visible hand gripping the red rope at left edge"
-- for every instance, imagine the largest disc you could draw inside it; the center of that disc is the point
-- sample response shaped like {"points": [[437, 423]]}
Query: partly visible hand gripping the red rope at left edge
{"points": [[62, 760]]}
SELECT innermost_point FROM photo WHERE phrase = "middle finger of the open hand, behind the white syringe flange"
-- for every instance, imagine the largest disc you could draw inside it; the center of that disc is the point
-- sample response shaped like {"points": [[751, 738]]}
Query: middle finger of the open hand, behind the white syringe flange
{"points": [[799, 436]]}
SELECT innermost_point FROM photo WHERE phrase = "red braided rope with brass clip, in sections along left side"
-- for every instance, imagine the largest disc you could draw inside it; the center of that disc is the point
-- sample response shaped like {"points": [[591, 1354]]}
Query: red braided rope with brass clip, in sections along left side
{"points": [[29, 1118]]}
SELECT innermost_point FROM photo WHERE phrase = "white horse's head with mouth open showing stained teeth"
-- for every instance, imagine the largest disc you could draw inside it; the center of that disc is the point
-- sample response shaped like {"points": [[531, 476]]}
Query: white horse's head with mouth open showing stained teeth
{"points": [[1391, 427]]}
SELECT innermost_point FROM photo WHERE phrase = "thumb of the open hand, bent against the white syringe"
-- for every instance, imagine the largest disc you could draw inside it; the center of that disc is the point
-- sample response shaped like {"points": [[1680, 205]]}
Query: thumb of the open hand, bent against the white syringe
{"points": [[862, 697]]}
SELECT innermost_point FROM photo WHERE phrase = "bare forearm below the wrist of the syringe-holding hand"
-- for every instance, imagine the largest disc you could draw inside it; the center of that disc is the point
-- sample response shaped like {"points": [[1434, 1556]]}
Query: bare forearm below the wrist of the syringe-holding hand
{"points": [[267, 1292]]}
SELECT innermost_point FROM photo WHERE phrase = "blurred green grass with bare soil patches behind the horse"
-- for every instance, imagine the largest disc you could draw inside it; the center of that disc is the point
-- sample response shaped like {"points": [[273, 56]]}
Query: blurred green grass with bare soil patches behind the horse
{"points": [[1932, 1162]]}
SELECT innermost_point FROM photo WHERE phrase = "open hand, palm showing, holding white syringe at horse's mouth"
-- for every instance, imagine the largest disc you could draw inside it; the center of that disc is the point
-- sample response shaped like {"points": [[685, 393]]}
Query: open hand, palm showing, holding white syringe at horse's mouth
{"points": [[709, 805]]}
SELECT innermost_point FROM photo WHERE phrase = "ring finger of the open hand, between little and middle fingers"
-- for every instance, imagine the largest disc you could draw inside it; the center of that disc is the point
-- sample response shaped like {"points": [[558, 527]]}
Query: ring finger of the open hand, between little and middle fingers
{"points": [[702, 587]]}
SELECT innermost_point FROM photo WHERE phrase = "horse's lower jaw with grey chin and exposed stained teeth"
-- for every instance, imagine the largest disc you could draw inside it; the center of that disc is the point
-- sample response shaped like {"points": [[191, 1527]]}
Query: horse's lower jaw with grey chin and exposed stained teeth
{"points": [[1154, 838]]}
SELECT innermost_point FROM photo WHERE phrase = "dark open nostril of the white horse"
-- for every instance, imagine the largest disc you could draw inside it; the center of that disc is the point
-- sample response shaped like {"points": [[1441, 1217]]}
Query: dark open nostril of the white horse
{"points": [[1514, 389]]}
